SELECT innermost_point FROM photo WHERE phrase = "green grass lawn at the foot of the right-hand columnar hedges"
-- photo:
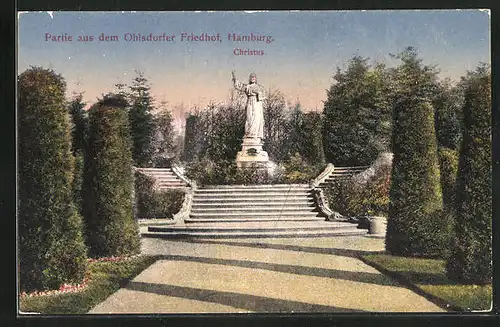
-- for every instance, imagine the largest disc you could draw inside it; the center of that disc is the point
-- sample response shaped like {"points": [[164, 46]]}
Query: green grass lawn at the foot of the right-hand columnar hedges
{"points": [[428, 277]]}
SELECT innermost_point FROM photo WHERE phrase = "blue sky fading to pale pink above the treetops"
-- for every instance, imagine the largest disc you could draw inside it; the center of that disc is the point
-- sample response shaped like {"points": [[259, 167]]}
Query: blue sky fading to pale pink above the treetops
{"points": [[300, 61]]}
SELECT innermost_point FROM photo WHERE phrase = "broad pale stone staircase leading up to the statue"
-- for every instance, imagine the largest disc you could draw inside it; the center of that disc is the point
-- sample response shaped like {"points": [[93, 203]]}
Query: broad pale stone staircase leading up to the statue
{"points": [[250, 211]]}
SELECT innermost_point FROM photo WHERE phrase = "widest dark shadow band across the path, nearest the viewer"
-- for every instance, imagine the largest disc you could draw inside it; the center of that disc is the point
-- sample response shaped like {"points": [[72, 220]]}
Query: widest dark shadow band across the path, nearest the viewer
{"points": [[236, 300]]}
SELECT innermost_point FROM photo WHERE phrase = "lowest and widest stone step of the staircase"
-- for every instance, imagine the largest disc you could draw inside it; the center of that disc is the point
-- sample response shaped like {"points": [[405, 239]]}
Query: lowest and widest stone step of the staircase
{"points": [[265, 234]]}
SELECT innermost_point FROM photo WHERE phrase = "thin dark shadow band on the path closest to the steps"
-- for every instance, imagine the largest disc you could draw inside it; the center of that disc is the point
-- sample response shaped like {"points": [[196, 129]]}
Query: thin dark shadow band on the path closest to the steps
{"points": [[308, 249]]}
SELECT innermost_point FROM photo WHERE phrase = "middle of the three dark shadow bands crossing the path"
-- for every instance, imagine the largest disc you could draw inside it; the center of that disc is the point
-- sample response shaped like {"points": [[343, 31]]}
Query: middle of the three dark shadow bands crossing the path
{"points": [[362, 277]]}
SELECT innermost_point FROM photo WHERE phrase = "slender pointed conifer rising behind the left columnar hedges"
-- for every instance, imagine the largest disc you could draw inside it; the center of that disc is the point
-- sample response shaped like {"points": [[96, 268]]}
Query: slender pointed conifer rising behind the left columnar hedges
{"points": [[141, 121]]}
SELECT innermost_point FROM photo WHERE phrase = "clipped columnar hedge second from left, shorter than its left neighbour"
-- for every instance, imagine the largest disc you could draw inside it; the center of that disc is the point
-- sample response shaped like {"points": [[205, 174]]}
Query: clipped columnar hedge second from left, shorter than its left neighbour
{"points": [[108, 206]]}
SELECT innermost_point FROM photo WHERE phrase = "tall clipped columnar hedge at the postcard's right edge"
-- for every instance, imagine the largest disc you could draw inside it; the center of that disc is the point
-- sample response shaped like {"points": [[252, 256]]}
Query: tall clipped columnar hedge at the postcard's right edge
{"points": [[471, 258]]}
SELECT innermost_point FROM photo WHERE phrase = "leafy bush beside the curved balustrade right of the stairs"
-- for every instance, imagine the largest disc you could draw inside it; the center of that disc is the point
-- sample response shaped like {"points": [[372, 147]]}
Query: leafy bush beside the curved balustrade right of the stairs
{"points": [[353, 197]]}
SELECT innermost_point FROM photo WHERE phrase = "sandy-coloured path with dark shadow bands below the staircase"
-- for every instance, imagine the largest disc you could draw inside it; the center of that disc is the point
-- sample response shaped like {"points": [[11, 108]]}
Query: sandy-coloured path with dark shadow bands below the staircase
{"points": [[263, 275]]}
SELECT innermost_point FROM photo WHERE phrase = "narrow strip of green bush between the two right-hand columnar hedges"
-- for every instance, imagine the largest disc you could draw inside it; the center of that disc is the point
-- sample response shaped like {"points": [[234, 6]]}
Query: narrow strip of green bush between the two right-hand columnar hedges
{"points": [[448, 165]]}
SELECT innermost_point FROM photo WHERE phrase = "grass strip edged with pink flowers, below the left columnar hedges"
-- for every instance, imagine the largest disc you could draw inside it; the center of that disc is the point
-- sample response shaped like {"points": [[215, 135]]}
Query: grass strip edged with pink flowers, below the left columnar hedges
{"points": [[106, 278]]}
